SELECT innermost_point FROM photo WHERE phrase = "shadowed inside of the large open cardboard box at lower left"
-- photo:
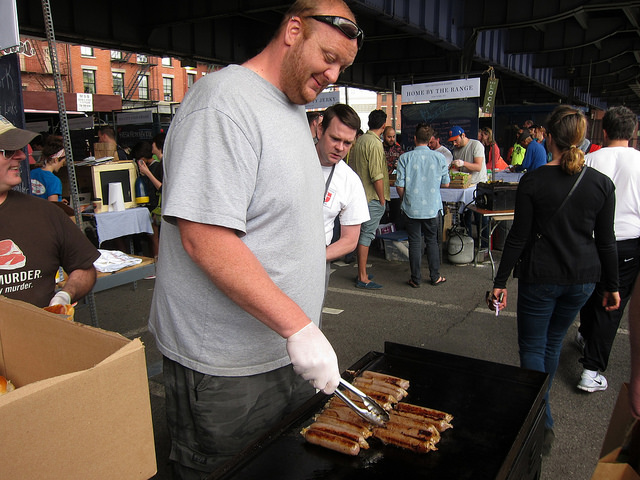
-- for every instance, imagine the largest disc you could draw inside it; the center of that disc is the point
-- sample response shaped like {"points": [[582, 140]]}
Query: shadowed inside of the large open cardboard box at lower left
{"points": [[63, 347]]}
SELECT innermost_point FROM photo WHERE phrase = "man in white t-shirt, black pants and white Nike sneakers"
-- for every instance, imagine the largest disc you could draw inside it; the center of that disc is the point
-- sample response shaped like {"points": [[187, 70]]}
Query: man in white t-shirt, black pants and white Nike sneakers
{"points": [[621, 163]]}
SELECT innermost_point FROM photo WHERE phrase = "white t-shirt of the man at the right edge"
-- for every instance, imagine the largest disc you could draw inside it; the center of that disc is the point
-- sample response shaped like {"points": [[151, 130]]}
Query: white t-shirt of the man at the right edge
{"points": [[622, 166]]}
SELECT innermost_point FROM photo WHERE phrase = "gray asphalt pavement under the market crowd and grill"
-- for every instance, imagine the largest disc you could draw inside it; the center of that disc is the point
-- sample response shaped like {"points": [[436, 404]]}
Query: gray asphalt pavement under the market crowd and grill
{"points": [[451, 318]]}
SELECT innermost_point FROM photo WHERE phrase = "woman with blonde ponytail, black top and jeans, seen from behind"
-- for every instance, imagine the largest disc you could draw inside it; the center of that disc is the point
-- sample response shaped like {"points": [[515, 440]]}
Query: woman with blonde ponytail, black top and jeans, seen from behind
{"points": [[559, 248]]}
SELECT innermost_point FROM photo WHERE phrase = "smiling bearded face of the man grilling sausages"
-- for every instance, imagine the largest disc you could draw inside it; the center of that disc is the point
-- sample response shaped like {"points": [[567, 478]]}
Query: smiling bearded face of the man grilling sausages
{"points": [[312, 63]]}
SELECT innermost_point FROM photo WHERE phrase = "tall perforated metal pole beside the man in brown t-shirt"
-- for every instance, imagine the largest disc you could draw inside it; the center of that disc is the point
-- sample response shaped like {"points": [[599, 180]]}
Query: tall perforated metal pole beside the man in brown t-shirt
{"points": [[64, 130]]}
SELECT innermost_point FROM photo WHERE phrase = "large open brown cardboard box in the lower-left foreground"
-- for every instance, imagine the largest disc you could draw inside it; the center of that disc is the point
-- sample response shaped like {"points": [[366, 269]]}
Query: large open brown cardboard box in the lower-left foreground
{"points": [[81, 408]]}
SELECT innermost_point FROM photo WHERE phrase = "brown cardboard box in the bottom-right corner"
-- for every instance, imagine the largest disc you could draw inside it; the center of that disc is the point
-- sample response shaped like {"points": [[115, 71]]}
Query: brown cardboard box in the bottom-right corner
{"points": [[609, 468]]}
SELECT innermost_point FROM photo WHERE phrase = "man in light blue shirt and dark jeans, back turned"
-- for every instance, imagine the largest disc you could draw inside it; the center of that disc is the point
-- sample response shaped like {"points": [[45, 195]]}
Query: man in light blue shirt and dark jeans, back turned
{"points": [[420, 174]]}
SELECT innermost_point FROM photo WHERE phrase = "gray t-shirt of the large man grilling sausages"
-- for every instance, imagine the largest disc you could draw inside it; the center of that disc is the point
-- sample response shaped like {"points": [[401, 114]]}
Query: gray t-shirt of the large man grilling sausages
{"points": [[238, 154]]}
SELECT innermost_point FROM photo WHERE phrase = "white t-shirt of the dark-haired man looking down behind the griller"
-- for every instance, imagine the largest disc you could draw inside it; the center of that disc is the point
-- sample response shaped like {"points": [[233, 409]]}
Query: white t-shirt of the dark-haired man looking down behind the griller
{"points": [[345, 197]]}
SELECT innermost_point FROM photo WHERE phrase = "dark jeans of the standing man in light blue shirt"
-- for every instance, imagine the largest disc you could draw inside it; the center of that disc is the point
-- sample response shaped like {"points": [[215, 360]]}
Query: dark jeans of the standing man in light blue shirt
{"points": [[416, 228]]}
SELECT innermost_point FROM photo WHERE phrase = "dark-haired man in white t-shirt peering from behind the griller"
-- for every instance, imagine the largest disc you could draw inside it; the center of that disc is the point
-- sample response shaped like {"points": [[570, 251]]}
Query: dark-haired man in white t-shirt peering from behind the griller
{"points": [[344, 194]]}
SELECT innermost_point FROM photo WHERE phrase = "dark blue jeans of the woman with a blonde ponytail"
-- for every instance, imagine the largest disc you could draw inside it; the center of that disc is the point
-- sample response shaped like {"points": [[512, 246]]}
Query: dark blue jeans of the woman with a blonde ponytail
{"points": [[545, 313]]}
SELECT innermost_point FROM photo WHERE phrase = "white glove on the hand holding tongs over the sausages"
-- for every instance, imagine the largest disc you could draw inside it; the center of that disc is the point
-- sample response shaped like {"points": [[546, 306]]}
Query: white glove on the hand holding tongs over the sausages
{"points": [[313, 358]]}
